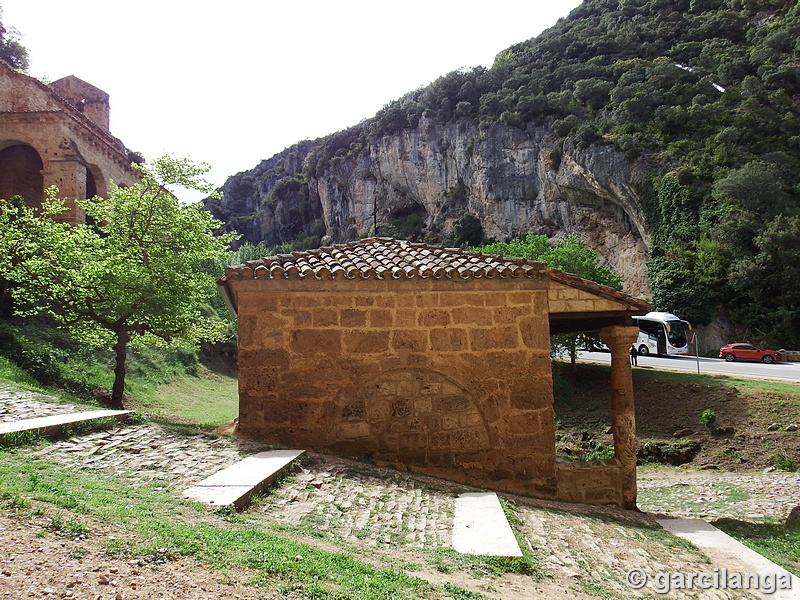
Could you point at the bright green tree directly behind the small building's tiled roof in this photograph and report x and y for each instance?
(569, 254)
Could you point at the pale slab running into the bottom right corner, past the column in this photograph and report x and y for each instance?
(731, 555)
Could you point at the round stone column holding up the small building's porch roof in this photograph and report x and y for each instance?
(623, 423)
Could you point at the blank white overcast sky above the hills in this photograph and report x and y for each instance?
(231, 83)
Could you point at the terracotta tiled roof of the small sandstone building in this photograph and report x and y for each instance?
(386, 258)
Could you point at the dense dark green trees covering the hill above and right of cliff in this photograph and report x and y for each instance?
(707, 92)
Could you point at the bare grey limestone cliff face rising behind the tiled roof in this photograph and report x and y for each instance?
(514, 181)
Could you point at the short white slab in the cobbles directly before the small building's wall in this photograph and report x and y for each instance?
(480, 526)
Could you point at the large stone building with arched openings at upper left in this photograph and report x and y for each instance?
(57, 134)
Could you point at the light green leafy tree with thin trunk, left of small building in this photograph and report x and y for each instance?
(128, 276)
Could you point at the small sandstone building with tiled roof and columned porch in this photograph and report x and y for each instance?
(430, 359)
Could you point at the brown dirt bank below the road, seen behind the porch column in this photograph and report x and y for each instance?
(753, 430)
